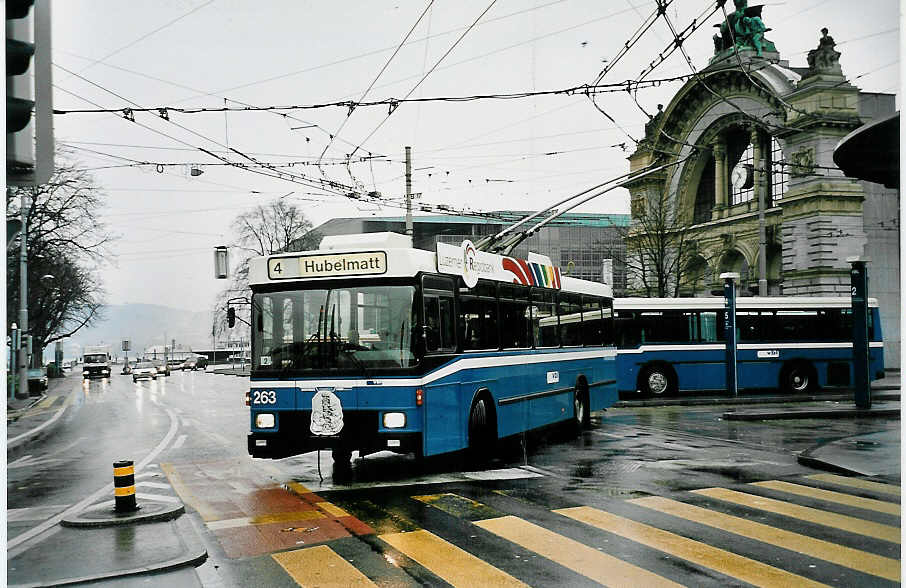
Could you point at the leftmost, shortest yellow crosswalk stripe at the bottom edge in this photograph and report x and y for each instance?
(320, 566)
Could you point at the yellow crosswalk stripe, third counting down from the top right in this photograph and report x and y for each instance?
(805, 513)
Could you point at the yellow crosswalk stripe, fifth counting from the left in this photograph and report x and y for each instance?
(862, 561)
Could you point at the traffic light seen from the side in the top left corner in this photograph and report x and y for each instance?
(29, 139)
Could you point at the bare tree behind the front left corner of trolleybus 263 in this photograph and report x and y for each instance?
(266, 229)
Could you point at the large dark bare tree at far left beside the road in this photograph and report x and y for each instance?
(65, 242)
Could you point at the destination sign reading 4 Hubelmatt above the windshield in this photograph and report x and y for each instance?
(360, 263)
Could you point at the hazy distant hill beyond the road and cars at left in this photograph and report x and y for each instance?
(143, 325)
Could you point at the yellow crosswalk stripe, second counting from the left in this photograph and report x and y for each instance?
(451, 563)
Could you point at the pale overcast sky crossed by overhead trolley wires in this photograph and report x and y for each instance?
(480, 155)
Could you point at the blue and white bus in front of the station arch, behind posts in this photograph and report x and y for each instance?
(796, 344)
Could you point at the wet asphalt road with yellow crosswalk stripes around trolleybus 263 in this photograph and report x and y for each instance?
(549, 509)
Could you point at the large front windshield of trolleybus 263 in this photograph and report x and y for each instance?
(341, 330)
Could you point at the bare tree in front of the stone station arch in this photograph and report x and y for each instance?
(659, 251)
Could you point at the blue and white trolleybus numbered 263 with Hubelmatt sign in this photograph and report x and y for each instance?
(368, 344)
